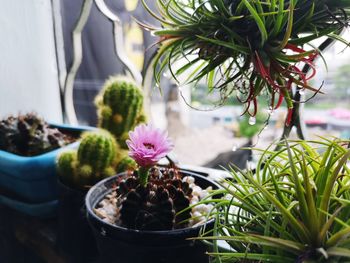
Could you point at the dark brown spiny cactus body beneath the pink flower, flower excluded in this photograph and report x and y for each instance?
(155, 206)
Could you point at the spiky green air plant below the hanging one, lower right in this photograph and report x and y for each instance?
(293, 208)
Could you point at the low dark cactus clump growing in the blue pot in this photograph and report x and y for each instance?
(29, 135)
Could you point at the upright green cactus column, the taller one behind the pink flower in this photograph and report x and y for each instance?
(120, 107)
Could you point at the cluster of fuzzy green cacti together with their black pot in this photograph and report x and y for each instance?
(100, 155)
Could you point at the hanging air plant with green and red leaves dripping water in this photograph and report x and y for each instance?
(245, 47)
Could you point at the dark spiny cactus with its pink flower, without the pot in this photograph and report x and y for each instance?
(151, 198)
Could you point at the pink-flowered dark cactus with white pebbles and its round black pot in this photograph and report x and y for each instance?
(146, 215)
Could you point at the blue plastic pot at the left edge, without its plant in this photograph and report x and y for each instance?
(33, 180)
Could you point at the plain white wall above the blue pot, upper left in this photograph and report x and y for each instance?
(28, 68)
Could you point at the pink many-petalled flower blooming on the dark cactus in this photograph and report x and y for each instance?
(147, 145)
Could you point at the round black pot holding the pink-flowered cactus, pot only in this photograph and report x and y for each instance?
(121, 245)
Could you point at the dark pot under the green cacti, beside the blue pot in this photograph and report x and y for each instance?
(75, 235)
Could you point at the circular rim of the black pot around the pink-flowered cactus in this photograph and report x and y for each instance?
(91, 213)
